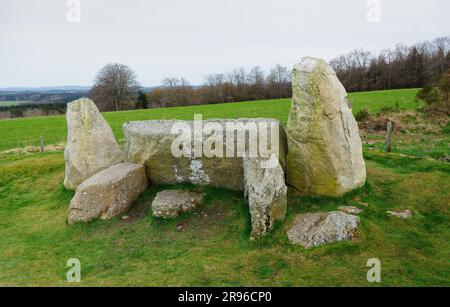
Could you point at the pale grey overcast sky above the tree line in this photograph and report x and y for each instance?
(191, 38)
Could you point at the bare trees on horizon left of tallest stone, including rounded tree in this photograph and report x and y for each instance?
(116, 88)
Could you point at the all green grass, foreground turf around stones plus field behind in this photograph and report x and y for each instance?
(213, 247)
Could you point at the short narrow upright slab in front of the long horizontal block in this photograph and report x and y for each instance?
(266, 192)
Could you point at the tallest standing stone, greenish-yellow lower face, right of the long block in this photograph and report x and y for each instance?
(324, 147)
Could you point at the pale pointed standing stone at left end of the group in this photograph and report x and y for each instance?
(91, 146)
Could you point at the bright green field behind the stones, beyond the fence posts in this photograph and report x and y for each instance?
(22, 132)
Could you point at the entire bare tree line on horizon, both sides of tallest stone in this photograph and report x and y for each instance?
(413, 66)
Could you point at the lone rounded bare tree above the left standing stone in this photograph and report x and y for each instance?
(118, 83)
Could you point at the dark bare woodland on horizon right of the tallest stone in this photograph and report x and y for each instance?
(401, 67)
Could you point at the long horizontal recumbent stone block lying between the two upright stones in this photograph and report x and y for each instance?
(150, 143)
